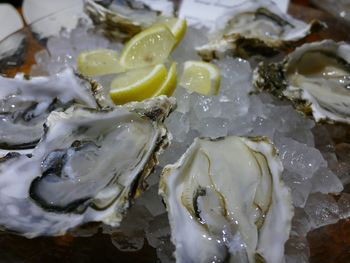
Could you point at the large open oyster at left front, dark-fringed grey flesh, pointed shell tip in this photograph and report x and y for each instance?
(86, 168)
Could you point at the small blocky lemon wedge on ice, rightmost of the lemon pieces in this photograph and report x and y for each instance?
(201, 77)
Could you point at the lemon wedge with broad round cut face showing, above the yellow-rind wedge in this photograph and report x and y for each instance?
(149, 47)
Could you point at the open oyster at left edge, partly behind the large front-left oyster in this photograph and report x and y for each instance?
(25, 105)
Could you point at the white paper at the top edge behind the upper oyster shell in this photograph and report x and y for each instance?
(206, 12)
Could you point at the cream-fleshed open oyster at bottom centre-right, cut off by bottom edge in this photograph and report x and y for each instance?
(226, 202)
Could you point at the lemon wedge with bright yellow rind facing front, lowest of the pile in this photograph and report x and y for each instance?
(137, 84)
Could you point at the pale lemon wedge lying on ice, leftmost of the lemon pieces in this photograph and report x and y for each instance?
(98, 62)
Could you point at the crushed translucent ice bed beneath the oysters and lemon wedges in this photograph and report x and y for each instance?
(232, 112)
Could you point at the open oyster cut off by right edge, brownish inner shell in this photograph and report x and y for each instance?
(315, 77)
